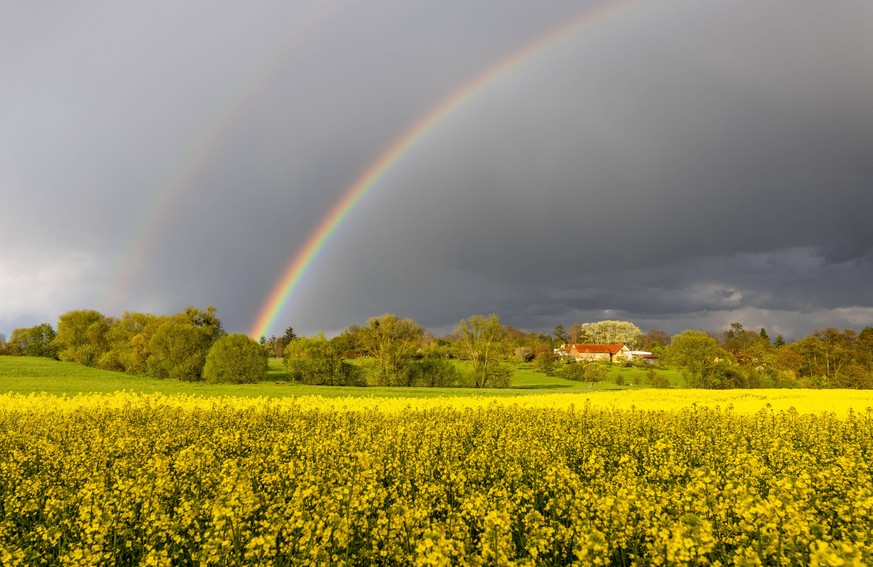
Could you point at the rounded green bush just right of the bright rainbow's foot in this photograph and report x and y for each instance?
(317, 361)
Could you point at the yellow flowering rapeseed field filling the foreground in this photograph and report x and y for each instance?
(624, 478)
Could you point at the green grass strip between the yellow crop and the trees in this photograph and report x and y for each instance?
(26, 375)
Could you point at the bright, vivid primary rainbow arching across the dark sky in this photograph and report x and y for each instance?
(302, 260)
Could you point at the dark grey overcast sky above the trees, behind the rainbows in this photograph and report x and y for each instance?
(679, 164)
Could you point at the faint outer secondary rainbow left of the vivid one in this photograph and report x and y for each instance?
(203, 144)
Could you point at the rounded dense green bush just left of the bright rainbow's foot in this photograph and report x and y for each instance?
(235, 359)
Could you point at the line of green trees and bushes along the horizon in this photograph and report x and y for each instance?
(393, 351)
